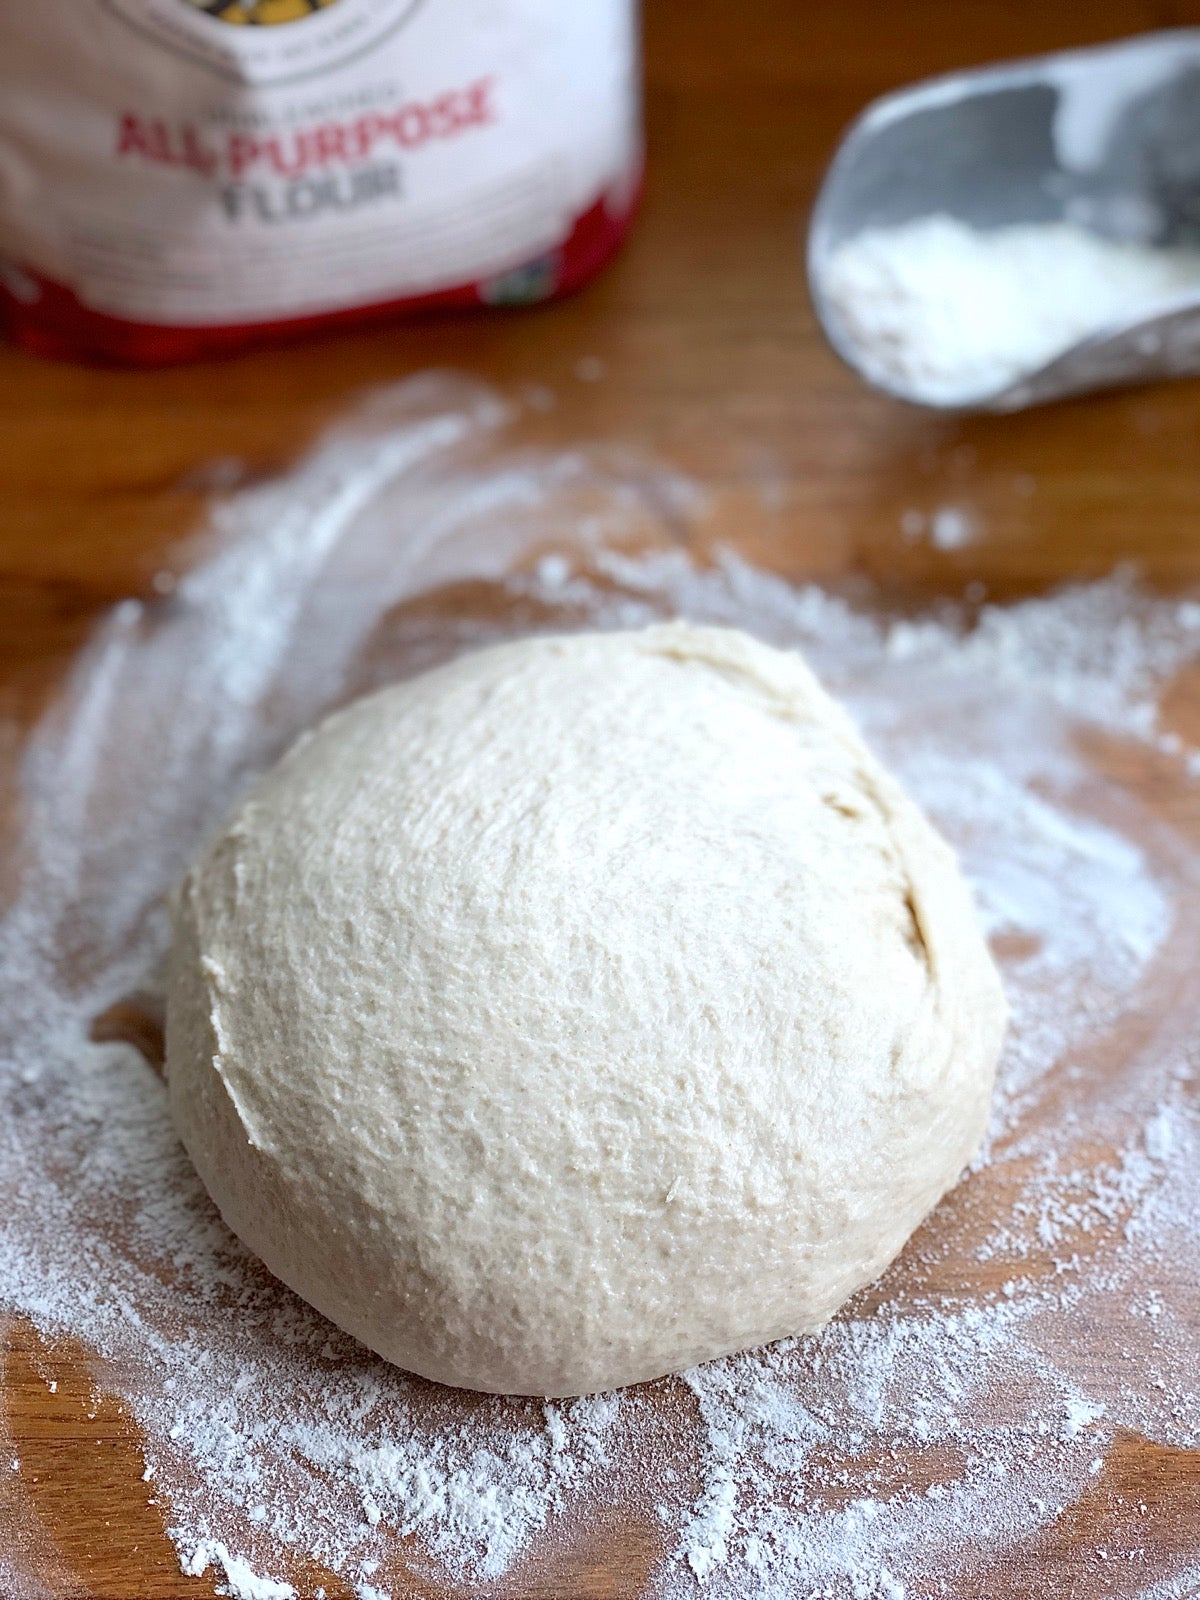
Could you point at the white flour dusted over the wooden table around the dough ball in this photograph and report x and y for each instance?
(954, 1412)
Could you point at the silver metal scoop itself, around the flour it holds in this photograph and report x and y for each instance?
(1108, 138)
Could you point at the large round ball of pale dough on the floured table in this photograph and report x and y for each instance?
(580, 1010)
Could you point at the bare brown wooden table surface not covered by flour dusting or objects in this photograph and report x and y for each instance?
(713, 361)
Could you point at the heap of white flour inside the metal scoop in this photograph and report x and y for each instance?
(950, 314)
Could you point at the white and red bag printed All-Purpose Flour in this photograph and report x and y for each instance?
(180, 178)
